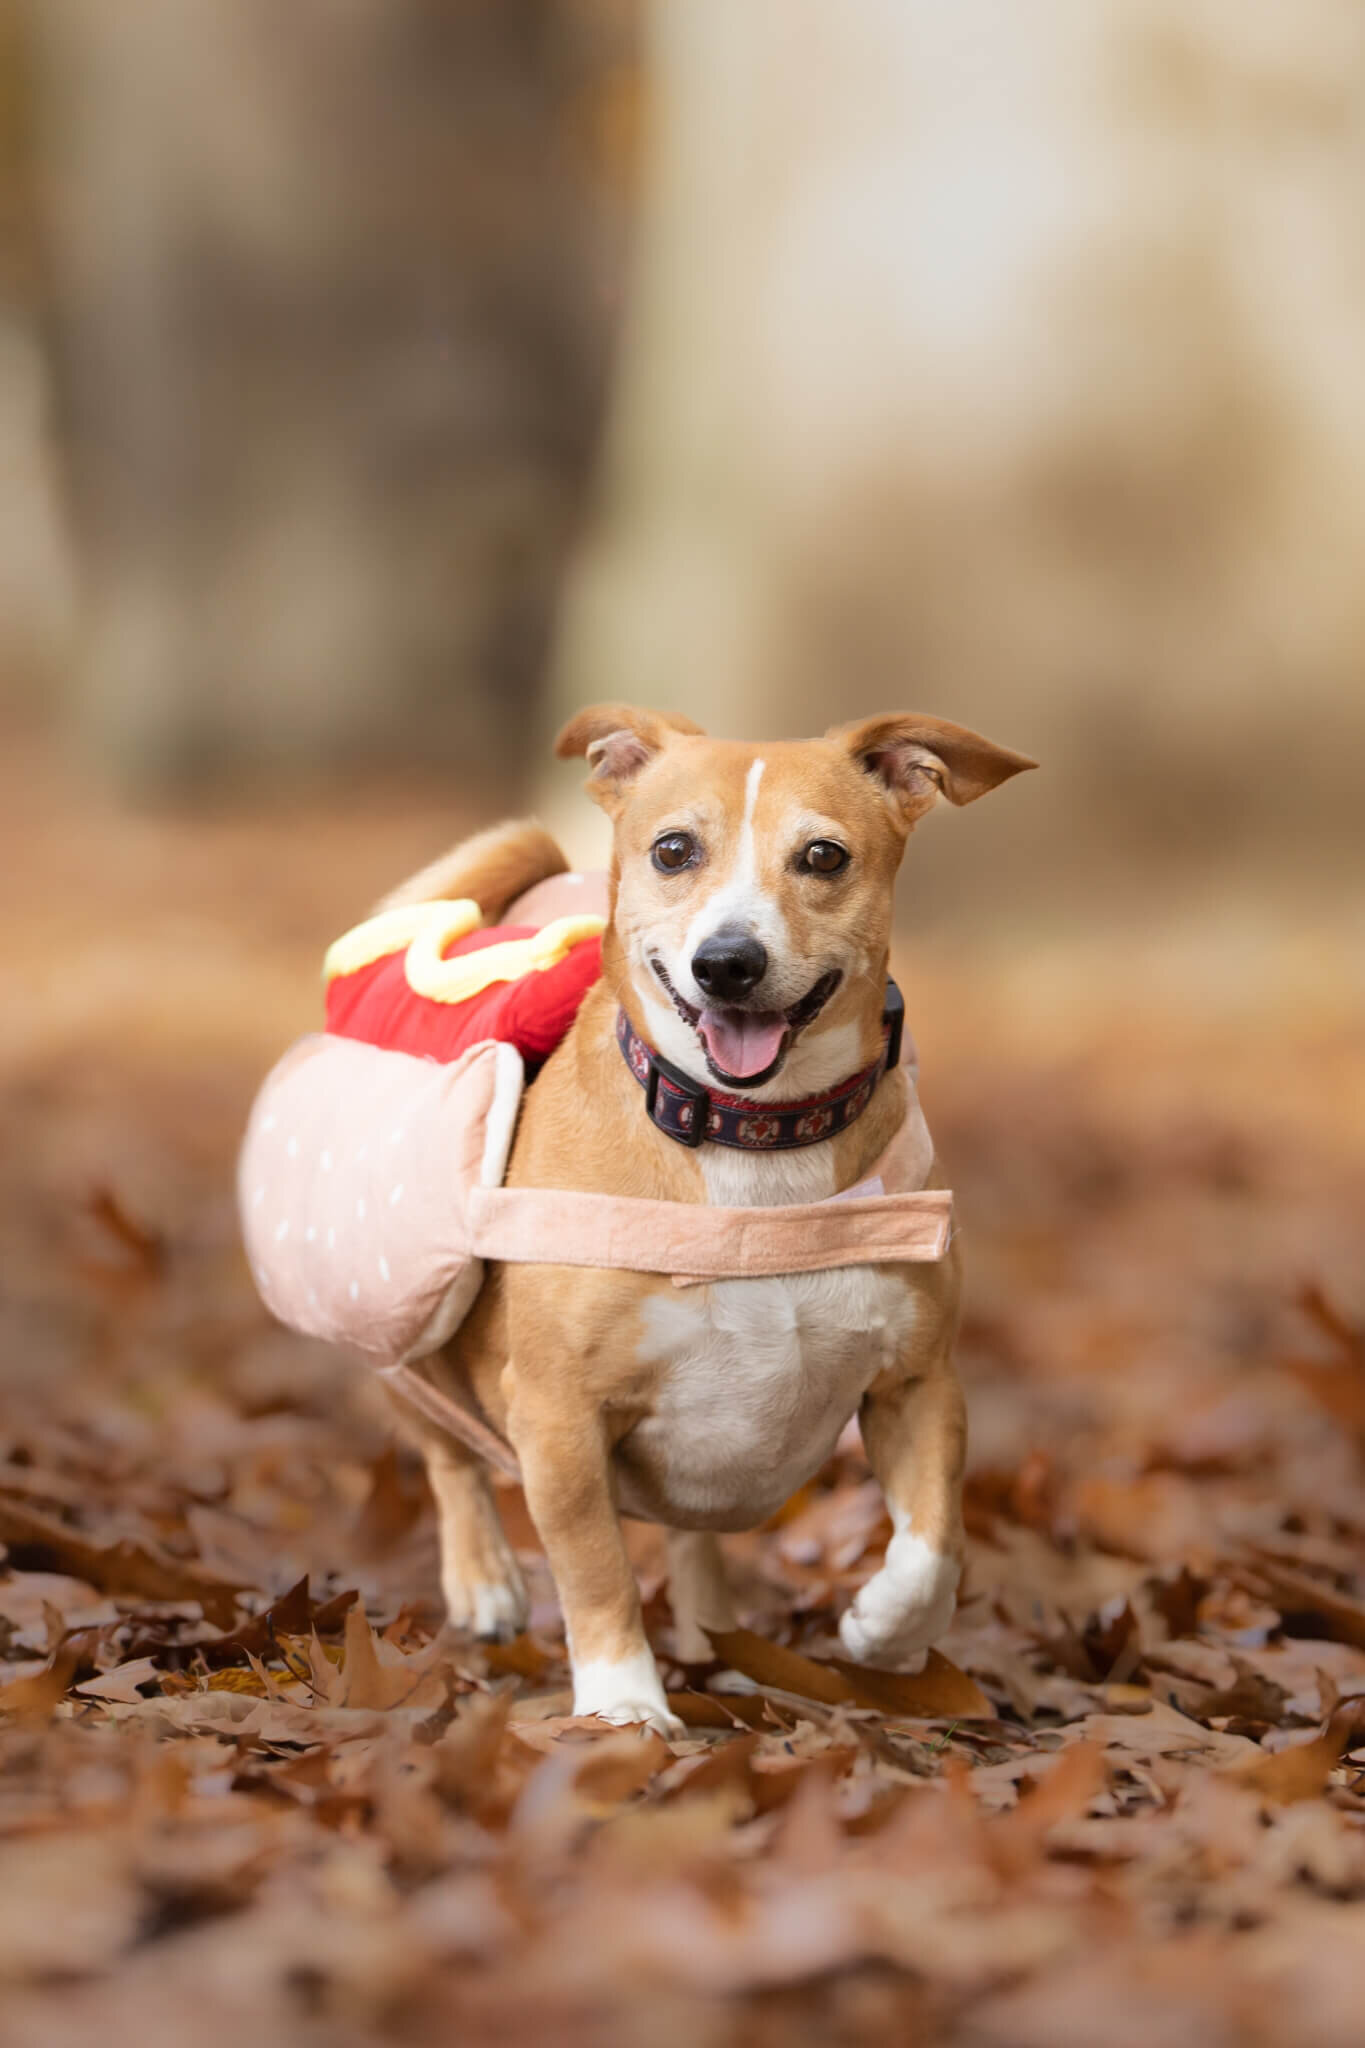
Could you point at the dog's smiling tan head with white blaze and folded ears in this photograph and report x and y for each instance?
(752, 888)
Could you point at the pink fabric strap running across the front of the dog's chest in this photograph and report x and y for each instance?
(693, 1242)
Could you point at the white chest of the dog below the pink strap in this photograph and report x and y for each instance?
(756, 1379)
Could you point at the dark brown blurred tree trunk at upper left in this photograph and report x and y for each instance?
(333, 300)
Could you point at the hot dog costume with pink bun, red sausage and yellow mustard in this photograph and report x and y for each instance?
(371, 1172)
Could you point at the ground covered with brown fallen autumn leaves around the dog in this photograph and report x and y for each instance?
(251, 1791)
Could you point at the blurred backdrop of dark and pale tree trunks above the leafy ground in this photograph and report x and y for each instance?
(380, 382)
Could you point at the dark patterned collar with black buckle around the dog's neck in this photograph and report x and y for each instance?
(689, 1113)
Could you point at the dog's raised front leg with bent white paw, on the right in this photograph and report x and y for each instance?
(916, 1439)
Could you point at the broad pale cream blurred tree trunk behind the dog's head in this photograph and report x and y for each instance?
(1006, 364)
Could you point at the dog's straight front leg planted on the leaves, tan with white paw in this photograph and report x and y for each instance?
(566, 1474)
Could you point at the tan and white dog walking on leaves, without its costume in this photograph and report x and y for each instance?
(748, 943)
